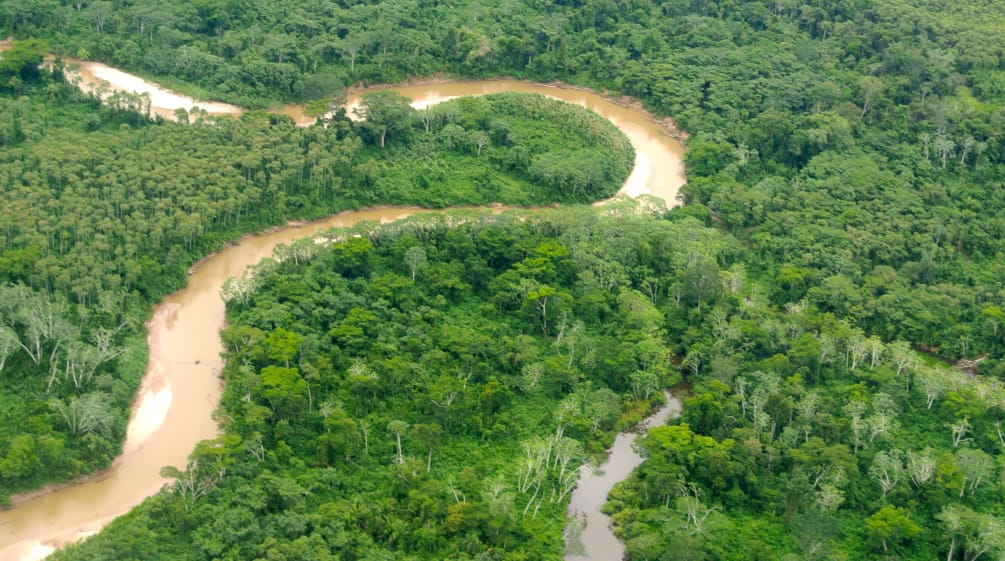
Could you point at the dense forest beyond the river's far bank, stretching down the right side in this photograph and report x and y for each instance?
(839, 140)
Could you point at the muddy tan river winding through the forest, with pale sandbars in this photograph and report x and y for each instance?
(181, 389)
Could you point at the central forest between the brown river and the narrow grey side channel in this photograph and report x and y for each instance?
(427, 390)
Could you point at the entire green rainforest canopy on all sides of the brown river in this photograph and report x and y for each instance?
(832, 292)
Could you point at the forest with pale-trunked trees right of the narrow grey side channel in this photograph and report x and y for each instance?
(803, 438)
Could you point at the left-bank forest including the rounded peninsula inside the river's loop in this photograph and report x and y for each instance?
(99, 224)
